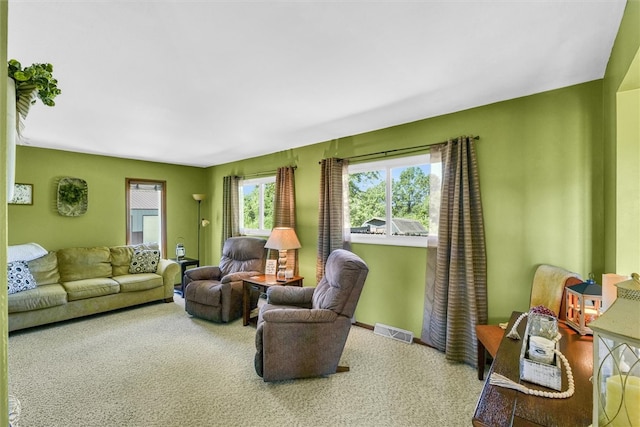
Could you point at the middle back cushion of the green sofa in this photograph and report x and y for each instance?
(84, 263)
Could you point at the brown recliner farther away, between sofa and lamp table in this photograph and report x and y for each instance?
(215, 293)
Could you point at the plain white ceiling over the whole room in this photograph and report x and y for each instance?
(208, 82)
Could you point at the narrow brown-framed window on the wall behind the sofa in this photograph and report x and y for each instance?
(146, 207)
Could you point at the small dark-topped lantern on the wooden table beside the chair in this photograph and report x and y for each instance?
(583, 305)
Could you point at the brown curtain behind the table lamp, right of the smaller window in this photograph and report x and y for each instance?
(285, 208)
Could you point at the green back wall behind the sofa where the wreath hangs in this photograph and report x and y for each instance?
(104, 224)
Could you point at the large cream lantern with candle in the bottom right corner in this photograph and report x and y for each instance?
(616, 359)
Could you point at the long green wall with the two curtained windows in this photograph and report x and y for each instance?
(539, 171)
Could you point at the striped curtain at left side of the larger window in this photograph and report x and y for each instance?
(332, 220)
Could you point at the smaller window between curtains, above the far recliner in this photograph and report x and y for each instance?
(256, 205)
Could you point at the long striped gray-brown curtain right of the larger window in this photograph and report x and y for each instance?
(460, 282)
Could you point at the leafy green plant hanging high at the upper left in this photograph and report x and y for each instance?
(32, 82)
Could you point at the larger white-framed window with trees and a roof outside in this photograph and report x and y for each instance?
(390, 201)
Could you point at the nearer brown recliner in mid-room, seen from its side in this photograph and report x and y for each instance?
(301, 332)
